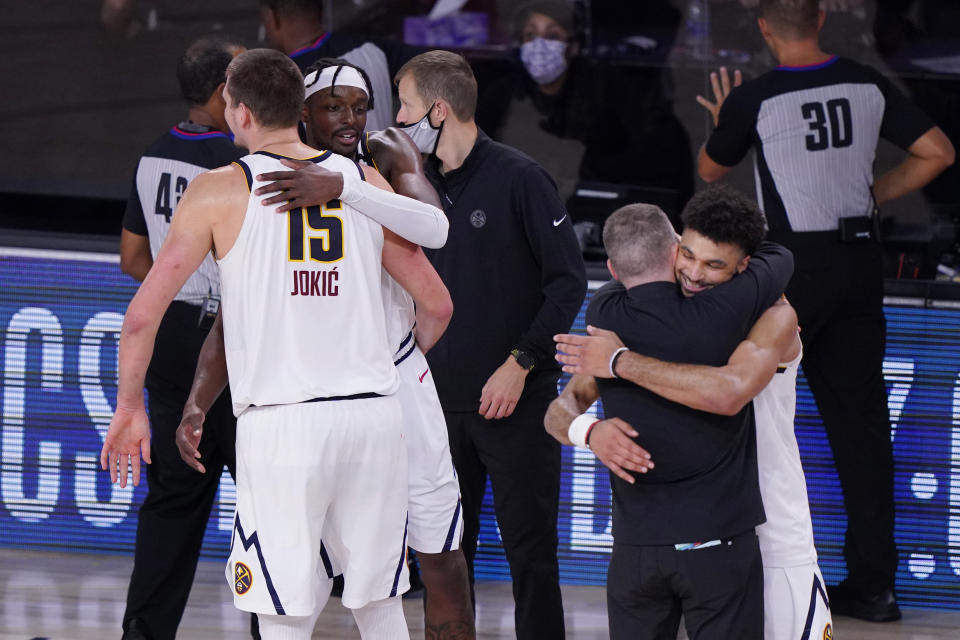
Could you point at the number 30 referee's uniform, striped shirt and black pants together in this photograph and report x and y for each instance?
(815, 131)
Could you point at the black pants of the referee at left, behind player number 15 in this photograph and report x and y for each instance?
(174, 515)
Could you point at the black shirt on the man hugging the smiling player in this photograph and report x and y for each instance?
(704, 485)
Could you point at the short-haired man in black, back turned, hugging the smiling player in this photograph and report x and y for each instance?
(683, 533)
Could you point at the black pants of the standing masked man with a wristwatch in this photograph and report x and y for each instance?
(523, 463)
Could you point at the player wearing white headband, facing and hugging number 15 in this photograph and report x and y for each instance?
(337, 100)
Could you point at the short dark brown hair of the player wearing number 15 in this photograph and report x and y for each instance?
(271, 86)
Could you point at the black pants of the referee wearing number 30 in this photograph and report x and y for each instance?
(837, 290)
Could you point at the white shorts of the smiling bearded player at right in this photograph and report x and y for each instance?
(795, 604)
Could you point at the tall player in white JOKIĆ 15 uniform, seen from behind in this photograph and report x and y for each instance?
(320, 453)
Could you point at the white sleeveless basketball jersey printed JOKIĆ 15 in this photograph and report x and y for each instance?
(302, 310)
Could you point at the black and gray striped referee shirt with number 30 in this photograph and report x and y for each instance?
(815, 129)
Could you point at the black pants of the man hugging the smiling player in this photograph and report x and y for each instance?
(718, 590)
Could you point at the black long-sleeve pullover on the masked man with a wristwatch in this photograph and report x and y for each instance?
(512, 264)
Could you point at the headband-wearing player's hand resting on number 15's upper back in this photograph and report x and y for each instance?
(307, 185)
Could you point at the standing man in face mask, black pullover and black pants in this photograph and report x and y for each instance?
(511, 248)
